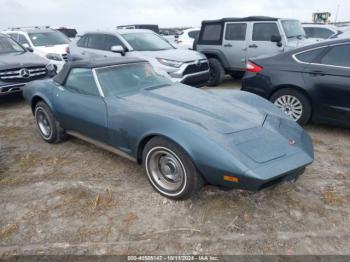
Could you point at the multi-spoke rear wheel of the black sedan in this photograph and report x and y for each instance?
(294, 104)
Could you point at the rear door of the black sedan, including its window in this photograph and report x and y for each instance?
(330, 79)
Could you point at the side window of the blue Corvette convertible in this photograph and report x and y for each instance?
(81, 81)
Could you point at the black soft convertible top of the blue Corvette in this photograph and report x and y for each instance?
(93, 63)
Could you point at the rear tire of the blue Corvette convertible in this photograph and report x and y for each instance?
(55, 134)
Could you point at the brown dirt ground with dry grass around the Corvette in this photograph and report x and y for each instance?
(73, 198)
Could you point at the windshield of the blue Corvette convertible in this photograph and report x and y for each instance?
(128, 79)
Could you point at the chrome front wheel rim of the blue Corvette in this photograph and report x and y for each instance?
(165, 170)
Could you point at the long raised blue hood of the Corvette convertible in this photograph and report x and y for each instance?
(201, 108)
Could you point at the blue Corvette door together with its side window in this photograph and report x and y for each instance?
(80, 107)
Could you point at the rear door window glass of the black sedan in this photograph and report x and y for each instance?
(337, 56)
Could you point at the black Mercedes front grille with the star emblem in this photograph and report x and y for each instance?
(23, 74)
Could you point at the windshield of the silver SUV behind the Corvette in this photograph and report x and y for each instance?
(147, 42)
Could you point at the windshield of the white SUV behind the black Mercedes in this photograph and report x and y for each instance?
(48, 38)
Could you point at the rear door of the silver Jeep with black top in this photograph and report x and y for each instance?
(234, 44)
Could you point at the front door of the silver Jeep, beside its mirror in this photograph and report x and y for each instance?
(260, 39)
